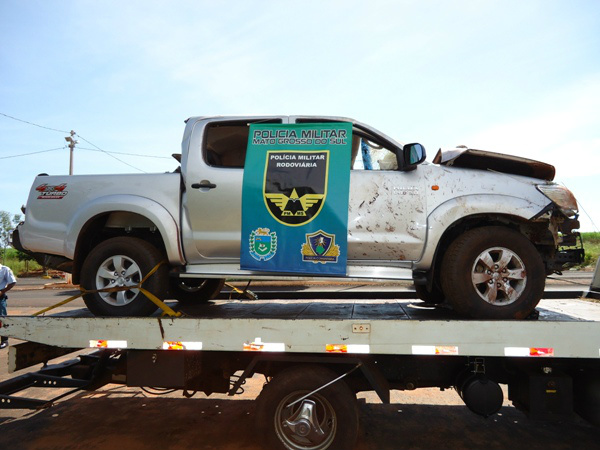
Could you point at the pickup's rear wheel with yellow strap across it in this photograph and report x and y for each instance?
(135, 258)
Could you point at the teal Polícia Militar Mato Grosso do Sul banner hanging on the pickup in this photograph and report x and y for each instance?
(295, 198)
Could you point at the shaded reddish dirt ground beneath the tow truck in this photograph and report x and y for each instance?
(118, 417)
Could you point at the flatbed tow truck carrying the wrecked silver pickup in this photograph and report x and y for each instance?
(316, 355)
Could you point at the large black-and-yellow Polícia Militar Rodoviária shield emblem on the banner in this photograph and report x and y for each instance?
(295, 185)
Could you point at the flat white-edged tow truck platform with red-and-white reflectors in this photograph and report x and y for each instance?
(564, 329)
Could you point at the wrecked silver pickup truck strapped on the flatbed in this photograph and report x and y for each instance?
(478, 230)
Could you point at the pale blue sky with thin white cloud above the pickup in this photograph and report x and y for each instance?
(510, 76)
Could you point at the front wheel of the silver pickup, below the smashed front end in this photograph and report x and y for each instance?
(493, 273)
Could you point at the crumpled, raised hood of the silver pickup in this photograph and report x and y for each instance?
(497, 162)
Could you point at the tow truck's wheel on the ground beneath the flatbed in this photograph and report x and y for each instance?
(334, 408)
